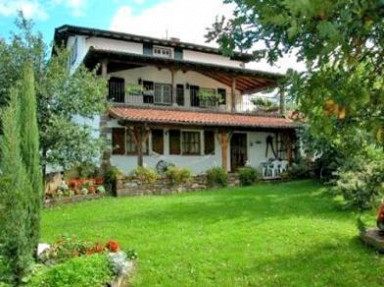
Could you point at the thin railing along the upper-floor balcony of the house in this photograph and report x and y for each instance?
(242, 104)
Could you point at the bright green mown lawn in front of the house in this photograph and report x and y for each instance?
(289, 234)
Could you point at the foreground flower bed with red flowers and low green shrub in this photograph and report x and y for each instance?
(79, 263)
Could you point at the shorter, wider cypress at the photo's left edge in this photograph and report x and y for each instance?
(15, 251)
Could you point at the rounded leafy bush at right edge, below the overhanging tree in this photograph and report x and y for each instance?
(361, 180)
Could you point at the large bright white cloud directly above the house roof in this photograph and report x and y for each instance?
(188, 21)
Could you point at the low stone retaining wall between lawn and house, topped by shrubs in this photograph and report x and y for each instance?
(134, 187)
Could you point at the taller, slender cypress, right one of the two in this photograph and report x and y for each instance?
(30, 150)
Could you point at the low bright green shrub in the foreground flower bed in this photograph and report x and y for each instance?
(92, 270)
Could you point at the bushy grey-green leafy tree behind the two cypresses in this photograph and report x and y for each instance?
(60, 96)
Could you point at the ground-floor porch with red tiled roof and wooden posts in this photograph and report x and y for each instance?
(197, 140)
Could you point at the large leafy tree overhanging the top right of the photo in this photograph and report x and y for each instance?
(341, 41)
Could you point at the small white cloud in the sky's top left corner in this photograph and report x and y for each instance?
(30, 8)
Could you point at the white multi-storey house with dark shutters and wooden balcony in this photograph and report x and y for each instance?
(180, 103)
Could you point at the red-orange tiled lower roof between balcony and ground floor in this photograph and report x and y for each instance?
(218, 119)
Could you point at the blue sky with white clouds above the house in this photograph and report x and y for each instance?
(184, 19)
